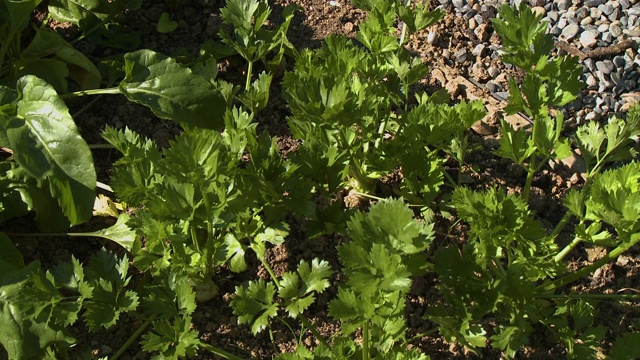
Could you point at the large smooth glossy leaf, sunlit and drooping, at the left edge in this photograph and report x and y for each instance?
(47, 144)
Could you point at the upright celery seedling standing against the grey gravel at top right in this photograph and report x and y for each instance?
(547, 83)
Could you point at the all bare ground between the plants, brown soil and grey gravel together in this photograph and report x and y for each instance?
(464, 54)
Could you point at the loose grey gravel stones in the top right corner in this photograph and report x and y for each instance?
(586, 25)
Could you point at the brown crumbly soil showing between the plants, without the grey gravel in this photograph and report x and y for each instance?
(199, 21)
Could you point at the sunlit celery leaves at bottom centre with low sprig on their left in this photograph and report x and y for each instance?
(386, 248)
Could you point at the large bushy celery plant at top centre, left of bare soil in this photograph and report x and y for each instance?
(352, 102)
